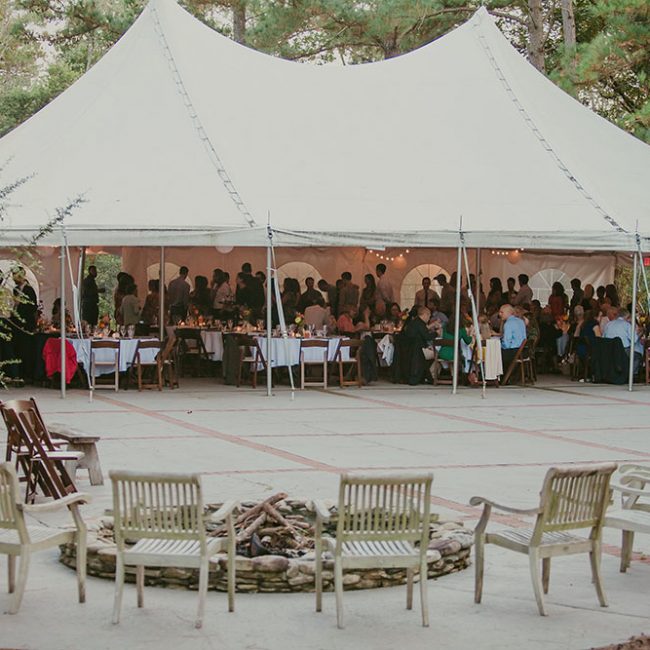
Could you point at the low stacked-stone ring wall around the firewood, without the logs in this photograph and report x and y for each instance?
(448, 552)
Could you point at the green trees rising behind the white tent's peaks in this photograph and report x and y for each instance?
(598, 50)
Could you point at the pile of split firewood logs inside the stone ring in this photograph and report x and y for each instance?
(262, 529)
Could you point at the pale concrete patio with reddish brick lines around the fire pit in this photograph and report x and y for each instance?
(249, 446)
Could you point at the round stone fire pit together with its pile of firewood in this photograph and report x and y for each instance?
(275, 542)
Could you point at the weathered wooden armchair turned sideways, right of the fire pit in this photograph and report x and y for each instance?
(572, 498)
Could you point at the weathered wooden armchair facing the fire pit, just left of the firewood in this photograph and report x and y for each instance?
(163, 514)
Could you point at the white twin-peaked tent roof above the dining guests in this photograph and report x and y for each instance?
(160, 132)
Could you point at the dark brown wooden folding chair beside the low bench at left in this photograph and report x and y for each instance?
(32, 450)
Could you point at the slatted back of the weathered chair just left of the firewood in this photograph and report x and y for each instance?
(157, 506)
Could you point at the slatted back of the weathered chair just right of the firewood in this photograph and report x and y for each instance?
(384, 508)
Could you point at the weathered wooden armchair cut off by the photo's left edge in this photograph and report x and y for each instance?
(18, 539)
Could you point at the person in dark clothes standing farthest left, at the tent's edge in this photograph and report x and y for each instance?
(24, 317)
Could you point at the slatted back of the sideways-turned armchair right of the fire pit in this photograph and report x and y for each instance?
(573, 497)
